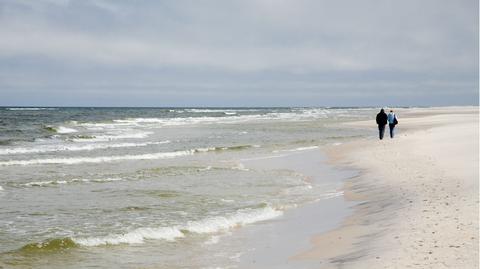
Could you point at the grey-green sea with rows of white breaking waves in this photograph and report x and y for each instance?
(153, 187)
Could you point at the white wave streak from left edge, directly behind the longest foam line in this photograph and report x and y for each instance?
(89, 147)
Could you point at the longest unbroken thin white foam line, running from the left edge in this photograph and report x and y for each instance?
(150, 156)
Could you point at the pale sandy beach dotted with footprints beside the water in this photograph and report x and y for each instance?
(417, 195)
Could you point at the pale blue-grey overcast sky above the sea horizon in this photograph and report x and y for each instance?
(238, 53)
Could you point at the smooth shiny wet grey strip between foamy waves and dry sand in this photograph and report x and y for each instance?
(271, 243)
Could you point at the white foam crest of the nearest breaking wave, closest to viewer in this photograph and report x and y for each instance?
(208, 225)
